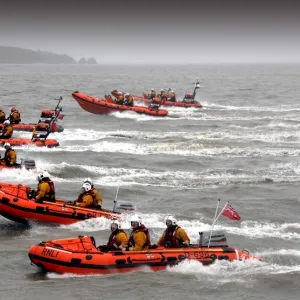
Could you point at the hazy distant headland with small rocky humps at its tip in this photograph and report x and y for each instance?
(15, 55)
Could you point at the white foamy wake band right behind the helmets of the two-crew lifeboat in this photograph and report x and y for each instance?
(105, 176)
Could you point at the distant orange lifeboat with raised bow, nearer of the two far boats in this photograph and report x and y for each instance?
(107, 105)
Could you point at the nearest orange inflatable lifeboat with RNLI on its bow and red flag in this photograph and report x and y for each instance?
(82, 256)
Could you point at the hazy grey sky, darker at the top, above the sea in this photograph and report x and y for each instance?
(156, 31)
